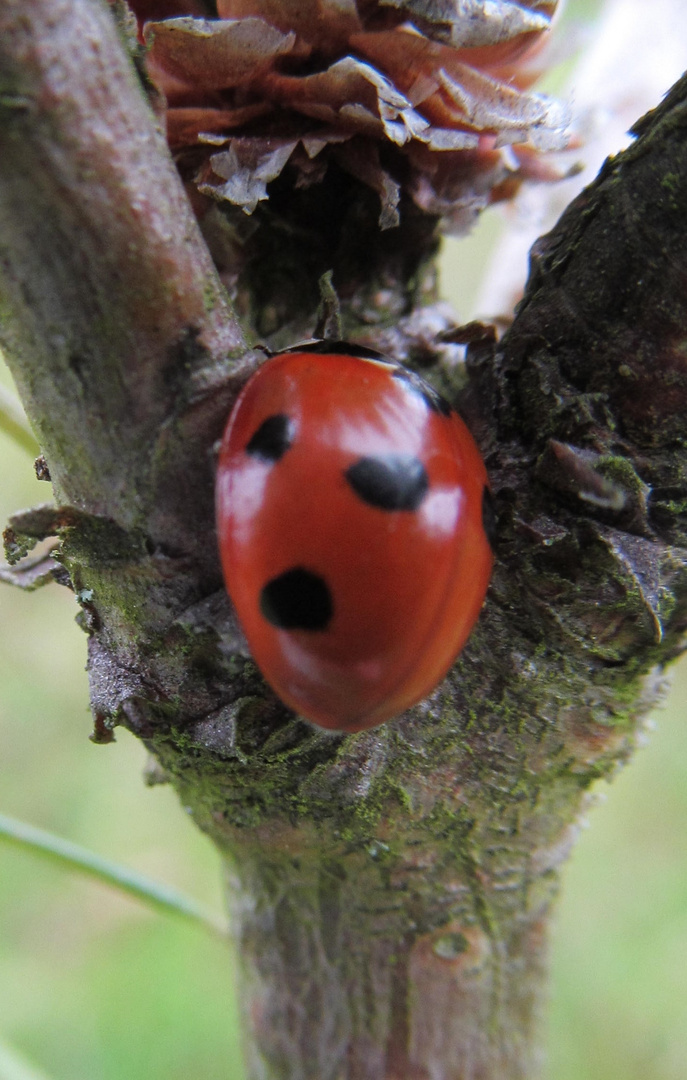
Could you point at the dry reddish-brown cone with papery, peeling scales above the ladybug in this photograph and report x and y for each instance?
(429, 98)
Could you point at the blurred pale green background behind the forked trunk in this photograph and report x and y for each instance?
(96, 988)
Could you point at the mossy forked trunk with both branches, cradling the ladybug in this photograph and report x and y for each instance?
(392, 890)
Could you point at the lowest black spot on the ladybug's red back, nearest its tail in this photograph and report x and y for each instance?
(298, 600)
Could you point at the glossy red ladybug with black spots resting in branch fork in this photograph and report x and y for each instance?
(352, 532)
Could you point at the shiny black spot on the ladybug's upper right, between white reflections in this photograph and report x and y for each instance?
(390, 481)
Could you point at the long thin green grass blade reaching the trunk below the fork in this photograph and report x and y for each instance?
(73, 857)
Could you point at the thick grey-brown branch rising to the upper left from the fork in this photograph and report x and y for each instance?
(114, 318)
